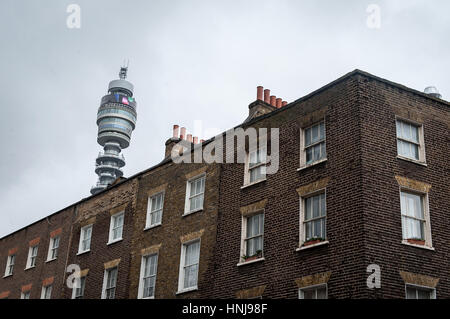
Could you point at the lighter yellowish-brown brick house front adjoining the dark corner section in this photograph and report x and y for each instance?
(172, 178)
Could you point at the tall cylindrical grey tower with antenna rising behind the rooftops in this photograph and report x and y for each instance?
(116, 120)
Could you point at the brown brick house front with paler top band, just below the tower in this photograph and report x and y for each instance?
(98, 210)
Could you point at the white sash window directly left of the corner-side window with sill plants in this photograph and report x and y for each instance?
(252, 245)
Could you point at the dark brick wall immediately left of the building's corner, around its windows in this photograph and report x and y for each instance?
(283, 265)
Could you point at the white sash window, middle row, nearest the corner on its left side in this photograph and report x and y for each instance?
(313, 219)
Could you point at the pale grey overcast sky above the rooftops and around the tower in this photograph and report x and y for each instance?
(189, 60)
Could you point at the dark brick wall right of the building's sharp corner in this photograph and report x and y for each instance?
(380, 104)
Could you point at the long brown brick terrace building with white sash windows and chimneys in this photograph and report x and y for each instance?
(362, 184)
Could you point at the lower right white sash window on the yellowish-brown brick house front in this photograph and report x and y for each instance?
(190, 254)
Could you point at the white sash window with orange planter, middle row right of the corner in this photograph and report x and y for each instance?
(415, 218)
